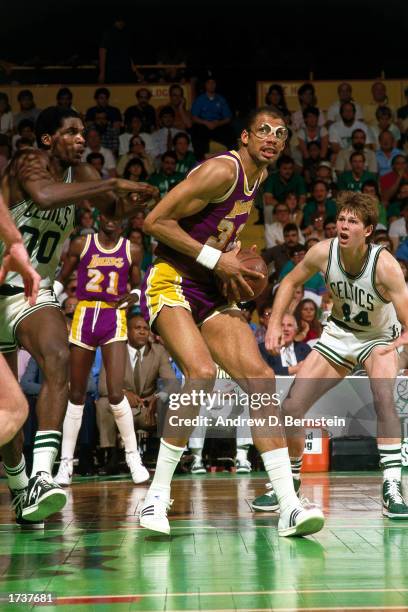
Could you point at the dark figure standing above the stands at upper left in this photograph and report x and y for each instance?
(116, 63)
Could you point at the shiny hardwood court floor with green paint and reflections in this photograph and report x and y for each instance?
(220, 555)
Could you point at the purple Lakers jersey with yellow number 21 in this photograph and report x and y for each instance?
(103, 273)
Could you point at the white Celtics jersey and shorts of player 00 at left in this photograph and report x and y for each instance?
(44, 233)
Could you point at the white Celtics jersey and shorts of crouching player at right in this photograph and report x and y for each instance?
(361, 318)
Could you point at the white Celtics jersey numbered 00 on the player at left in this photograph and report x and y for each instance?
(44, 233)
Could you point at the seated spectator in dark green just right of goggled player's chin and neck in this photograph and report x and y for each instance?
(279, 183)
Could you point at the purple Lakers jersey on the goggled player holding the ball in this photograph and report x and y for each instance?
(218, 225)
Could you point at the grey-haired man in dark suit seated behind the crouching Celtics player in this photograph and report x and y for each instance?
(292, 352)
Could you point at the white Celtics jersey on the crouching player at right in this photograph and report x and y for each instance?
(357, 303)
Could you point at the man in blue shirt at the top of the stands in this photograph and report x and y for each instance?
(211, 120)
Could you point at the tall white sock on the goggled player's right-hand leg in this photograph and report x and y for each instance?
(277, 465)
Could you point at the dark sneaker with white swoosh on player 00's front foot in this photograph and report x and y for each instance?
(44, 497)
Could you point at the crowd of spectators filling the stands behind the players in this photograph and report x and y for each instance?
(348, 147)
